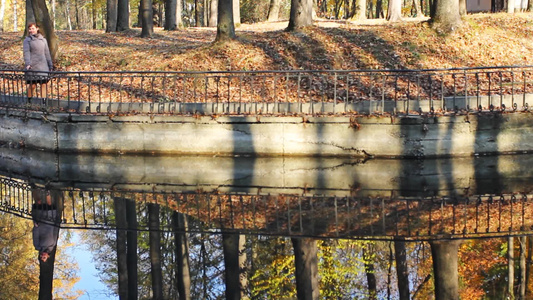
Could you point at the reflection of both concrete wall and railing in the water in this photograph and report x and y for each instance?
(376, 199)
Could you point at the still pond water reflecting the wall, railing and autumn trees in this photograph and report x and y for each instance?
(233, 224)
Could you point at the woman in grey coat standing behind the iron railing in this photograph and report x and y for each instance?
(36, 58)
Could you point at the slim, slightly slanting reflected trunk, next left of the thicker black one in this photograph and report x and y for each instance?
(182, 256)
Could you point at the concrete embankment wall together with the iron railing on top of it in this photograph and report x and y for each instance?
(372, 113)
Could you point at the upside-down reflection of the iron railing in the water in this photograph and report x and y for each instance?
(412, 218)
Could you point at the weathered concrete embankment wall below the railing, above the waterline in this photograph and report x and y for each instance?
(355, 136)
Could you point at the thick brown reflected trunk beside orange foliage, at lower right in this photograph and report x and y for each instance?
(445, 262)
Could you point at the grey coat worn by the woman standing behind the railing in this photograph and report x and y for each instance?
(36, 55)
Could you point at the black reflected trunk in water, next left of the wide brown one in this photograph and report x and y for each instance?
(231, 261)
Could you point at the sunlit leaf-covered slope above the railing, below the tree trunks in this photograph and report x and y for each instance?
(483, 40)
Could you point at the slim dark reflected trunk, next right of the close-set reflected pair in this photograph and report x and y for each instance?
(155, 251)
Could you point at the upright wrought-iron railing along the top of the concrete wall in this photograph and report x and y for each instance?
(275, 92)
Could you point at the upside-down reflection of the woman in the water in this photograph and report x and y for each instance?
(45, 224)
